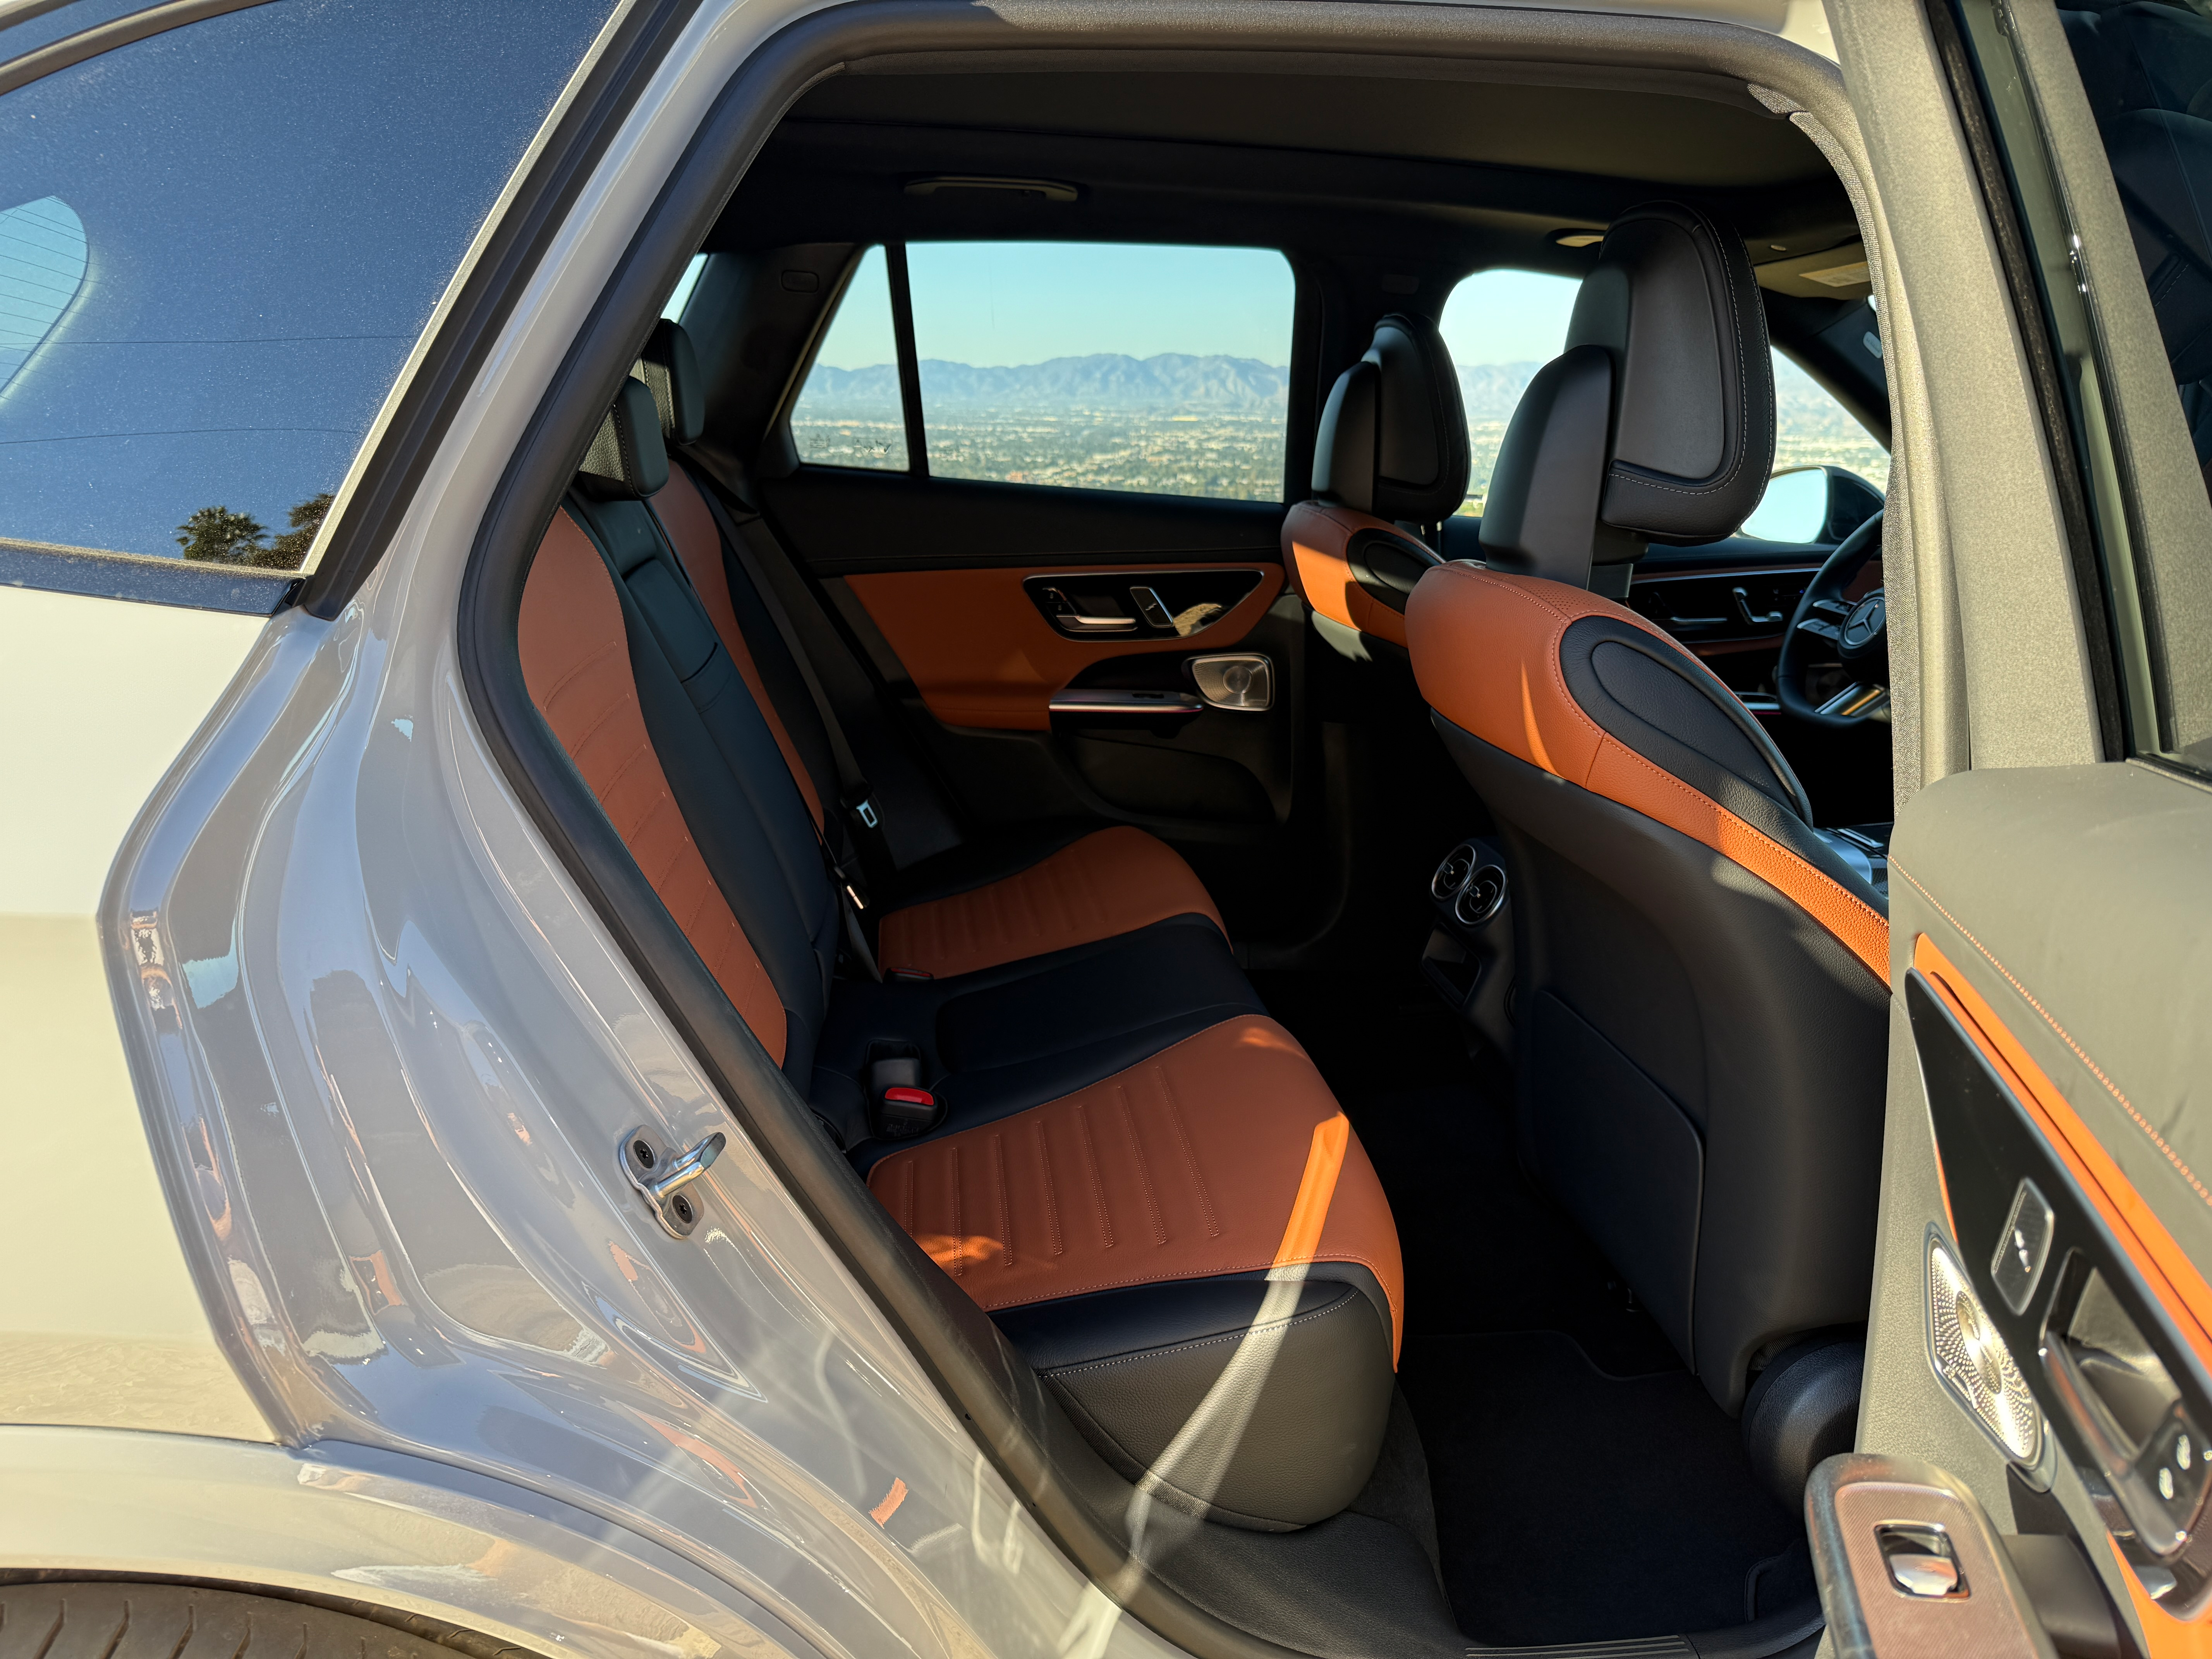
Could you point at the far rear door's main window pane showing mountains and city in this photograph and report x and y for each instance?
(1105, 366)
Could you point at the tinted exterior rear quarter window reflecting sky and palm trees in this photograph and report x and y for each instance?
(220, 244)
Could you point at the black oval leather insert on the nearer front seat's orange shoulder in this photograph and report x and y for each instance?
(1673, 713)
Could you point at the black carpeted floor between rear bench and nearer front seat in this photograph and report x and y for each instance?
(1587, 1488)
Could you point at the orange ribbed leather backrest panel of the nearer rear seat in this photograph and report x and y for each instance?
(576, 662)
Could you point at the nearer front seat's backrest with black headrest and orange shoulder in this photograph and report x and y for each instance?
(1700, 979)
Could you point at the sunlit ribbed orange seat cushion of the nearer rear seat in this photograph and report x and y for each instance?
(1220, 1156)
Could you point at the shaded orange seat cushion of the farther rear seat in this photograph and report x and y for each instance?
(1107, 884)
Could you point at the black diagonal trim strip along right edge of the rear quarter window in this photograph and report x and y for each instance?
(457, 353)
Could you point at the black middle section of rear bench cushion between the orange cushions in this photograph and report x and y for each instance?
(1010, 1039)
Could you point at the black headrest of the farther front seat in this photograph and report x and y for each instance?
(1395, 435)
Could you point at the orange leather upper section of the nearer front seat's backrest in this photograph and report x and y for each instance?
(1488, 658)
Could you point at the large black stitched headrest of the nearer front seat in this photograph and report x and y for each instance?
(1656, 424)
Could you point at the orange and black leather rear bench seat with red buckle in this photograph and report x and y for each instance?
(1138, 1173)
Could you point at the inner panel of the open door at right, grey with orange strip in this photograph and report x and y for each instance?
(2056, 972)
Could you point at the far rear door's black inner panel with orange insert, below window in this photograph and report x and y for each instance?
(932, 581)
